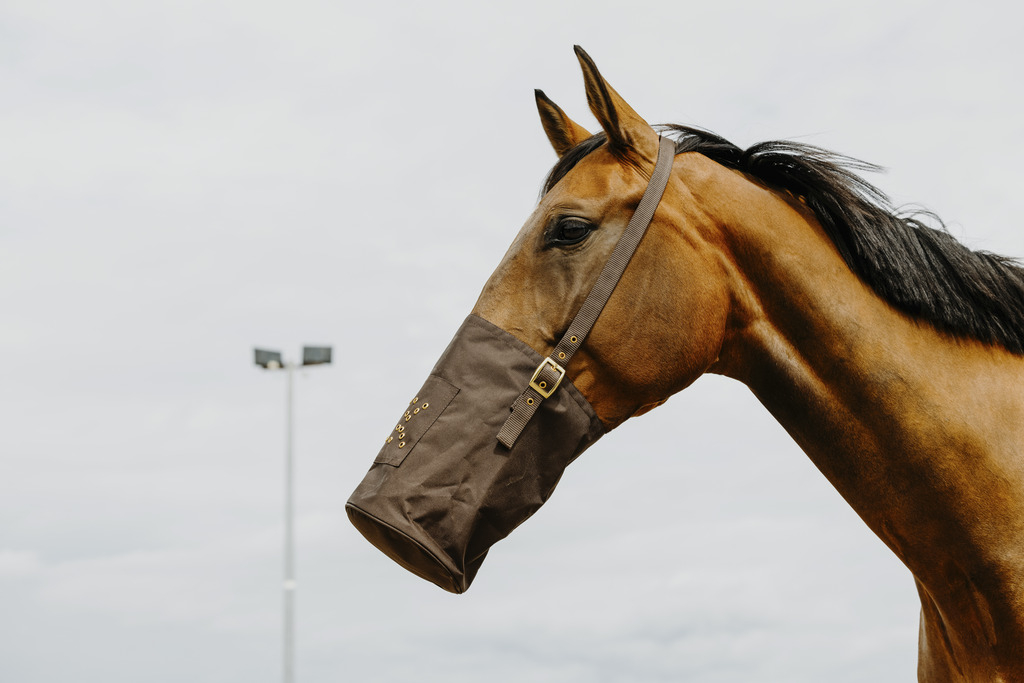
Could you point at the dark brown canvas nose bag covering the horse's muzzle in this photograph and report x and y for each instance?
(444, 490)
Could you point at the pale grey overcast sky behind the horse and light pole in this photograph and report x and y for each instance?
(181, 182)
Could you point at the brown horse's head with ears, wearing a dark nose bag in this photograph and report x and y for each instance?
(525, 388)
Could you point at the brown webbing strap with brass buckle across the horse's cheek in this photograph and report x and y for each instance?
(550, 373)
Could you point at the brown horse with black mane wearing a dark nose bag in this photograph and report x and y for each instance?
(891, 354)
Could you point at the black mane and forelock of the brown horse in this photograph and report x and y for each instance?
(920, 270)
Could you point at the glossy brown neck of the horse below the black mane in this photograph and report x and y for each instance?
(922, 435)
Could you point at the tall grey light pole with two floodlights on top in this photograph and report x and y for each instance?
(312, 356)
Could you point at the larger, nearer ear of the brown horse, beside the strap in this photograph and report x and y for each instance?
(628, 133)
